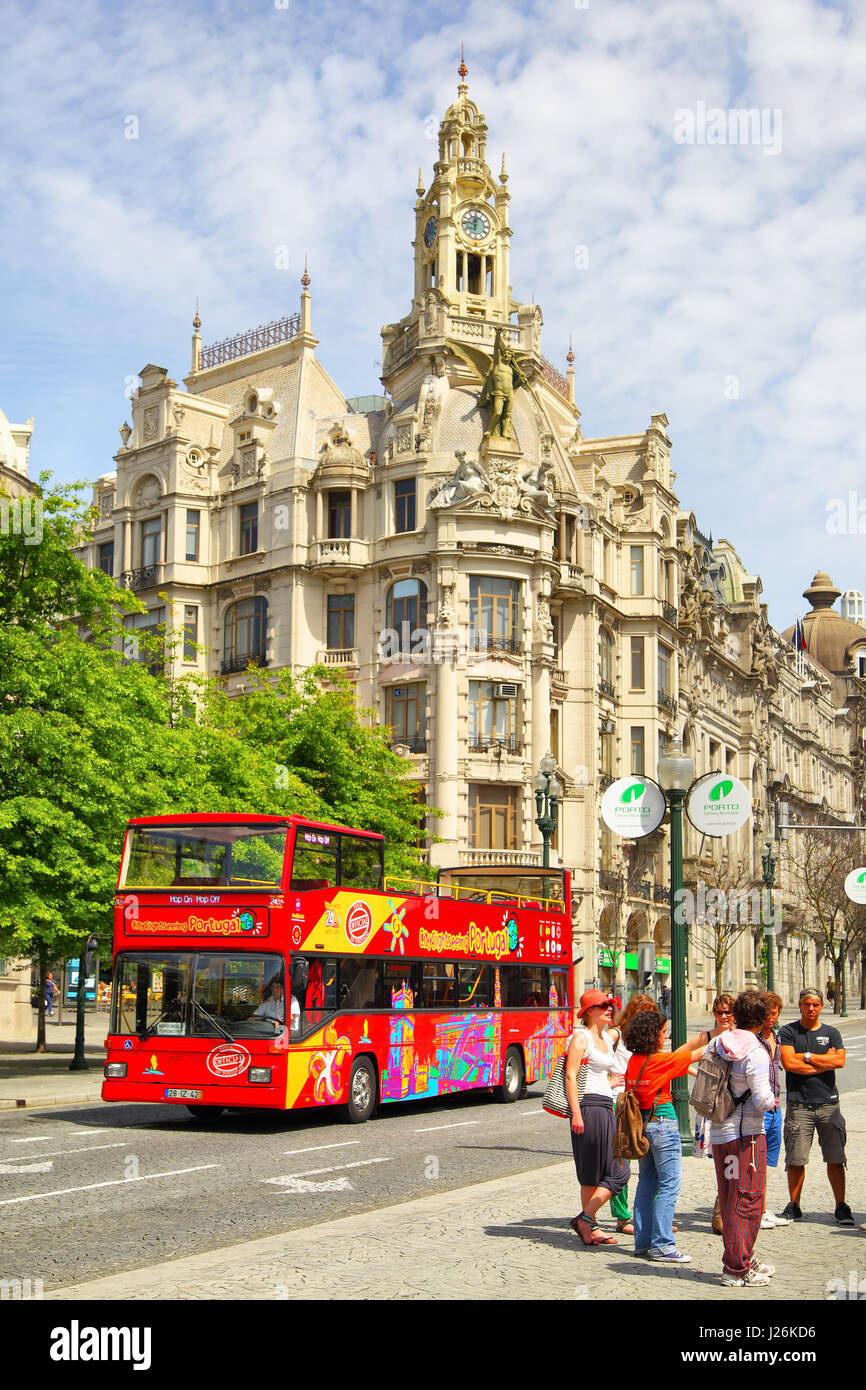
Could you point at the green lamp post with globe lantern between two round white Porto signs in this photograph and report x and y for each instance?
(676, 774)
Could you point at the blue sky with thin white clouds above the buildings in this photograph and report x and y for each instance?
(721, 283)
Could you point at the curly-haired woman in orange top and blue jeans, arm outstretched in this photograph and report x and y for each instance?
(661, 1170)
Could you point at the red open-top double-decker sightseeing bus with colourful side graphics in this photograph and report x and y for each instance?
(268, 961)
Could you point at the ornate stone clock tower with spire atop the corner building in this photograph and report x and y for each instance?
(462, 224)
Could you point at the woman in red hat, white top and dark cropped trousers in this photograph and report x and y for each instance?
(600, 1175)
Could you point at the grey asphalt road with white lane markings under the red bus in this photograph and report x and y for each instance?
(97, 1189)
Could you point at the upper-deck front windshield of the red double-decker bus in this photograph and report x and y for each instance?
(205, 857)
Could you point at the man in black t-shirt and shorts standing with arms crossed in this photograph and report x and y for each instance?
(812, 1054)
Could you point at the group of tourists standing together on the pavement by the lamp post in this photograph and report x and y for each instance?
(608, 1060)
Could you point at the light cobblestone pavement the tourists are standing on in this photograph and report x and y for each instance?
(511, 1239)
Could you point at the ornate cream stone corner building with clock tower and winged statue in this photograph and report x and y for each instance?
(494, 583)
